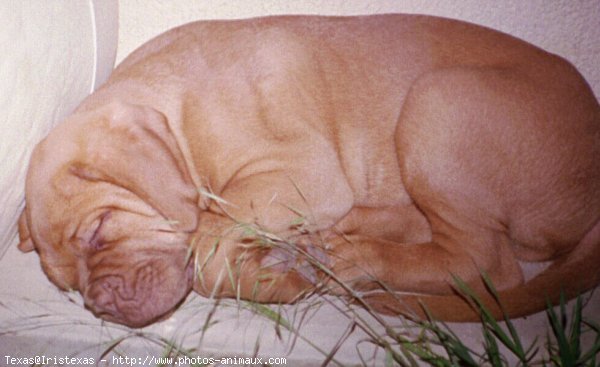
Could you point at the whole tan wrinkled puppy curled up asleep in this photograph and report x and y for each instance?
(411, 148)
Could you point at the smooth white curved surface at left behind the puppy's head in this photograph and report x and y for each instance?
(53, 55)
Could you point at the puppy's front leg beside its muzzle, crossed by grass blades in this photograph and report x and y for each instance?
(241, 260)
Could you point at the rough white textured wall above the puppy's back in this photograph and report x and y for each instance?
(570, 28)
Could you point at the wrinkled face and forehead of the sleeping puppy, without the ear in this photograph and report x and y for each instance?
(101, 236)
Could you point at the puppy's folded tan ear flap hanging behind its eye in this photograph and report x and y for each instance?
(132, 146)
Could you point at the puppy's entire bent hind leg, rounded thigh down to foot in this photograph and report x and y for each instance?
(482, 154)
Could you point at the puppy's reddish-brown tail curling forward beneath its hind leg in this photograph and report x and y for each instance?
(576, 273)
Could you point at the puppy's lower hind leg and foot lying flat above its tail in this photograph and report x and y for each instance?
(368, 263)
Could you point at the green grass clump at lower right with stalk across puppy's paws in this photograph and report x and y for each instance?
(435, 344)
